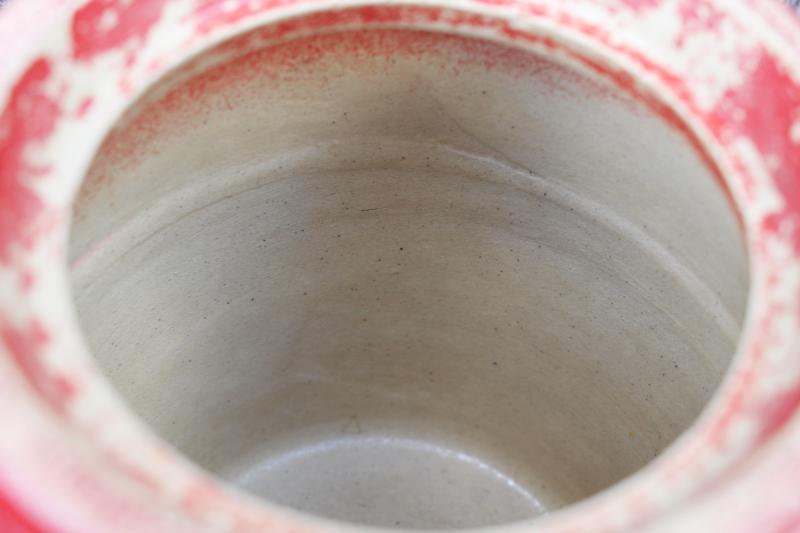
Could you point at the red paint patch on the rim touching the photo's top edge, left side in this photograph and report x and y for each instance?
(102, 25)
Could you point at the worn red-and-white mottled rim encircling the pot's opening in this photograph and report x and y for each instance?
(725, 74)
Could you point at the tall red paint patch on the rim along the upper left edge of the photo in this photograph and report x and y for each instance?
(29, 117)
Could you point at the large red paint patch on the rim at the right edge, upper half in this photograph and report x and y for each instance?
(765, 109)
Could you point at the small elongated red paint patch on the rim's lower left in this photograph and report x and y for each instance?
(26, 346)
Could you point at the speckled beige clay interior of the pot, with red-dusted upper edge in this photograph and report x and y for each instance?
(405, 279)
